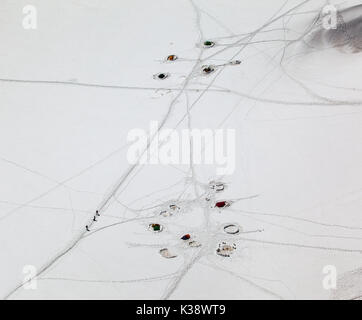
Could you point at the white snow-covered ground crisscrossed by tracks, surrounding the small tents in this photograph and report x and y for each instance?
(72, 89)
